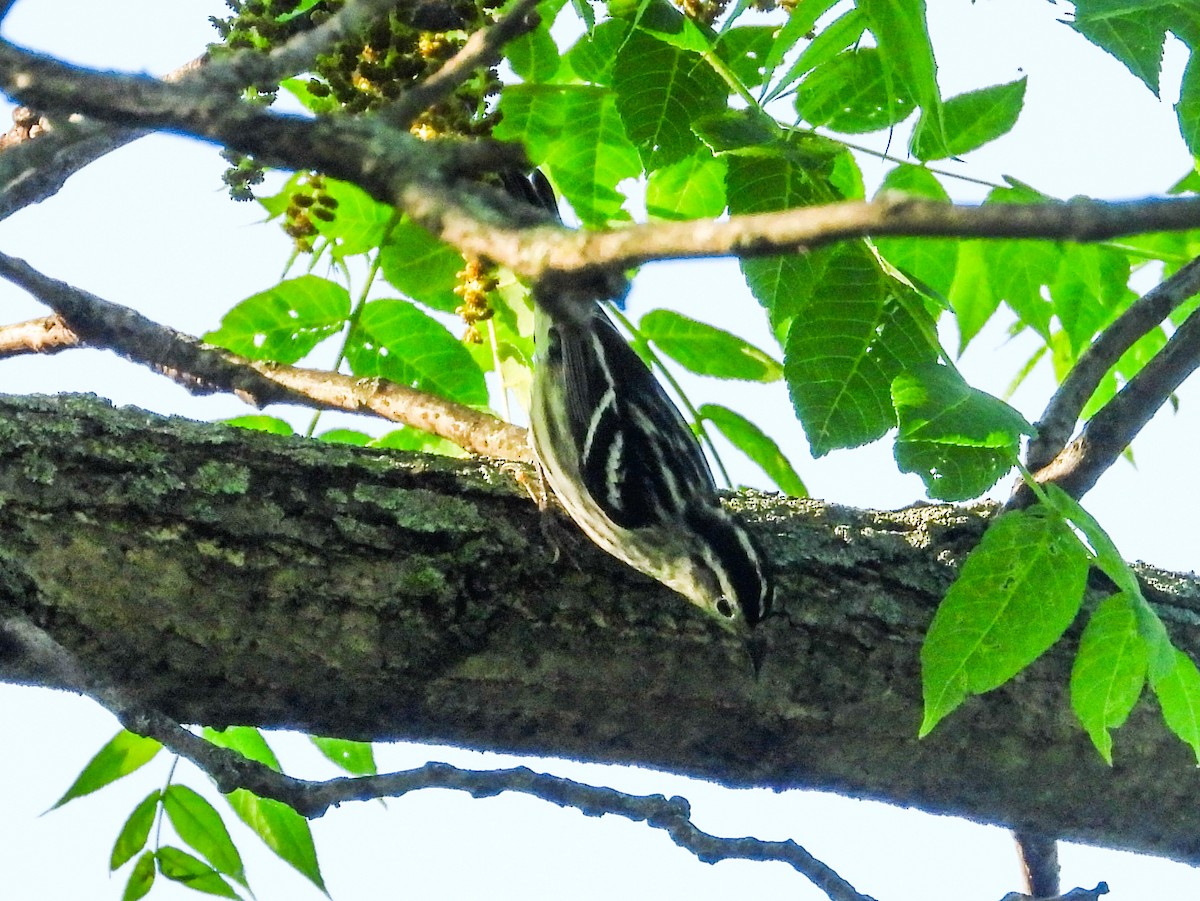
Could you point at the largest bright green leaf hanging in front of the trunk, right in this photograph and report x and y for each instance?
(1015, 597)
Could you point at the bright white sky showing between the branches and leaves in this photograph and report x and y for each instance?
(151, 227)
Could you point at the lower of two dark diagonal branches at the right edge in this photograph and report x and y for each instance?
(1114, 427)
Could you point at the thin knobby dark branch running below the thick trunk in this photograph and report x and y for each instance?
(37, 652)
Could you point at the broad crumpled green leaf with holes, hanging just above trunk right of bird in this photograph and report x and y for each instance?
(958, 440)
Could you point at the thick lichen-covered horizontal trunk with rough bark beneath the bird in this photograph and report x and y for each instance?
(233, 578)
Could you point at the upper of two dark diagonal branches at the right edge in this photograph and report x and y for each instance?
(1065, 409)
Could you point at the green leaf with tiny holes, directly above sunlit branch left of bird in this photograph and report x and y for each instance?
(395, 340)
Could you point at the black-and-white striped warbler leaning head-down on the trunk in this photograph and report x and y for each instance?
(623, 462)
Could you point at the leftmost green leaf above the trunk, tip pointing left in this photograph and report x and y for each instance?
(286, 322)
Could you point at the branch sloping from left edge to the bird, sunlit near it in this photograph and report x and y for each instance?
(205, 369)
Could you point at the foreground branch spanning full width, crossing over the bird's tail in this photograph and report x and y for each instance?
(423, 178)
